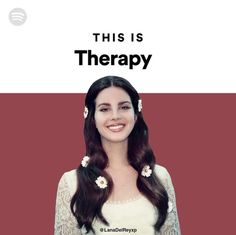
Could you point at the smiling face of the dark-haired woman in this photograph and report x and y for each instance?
(114, 115)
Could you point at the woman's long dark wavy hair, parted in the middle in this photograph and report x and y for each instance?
(86, 204)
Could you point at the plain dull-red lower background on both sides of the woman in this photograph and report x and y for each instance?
(193, 136)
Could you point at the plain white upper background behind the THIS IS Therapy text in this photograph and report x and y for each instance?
(160, 46)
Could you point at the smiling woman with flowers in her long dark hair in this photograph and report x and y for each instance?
(118, 188)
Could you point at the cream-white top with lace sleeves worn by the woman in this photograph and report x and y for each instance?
(135, 216)
